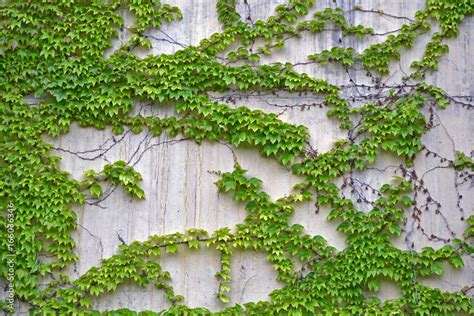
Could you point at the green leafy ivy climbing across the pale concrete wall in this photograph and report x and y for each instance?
(54, 51)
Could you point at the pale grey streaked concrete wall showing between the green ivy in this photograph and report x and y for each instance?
(179, 188)
